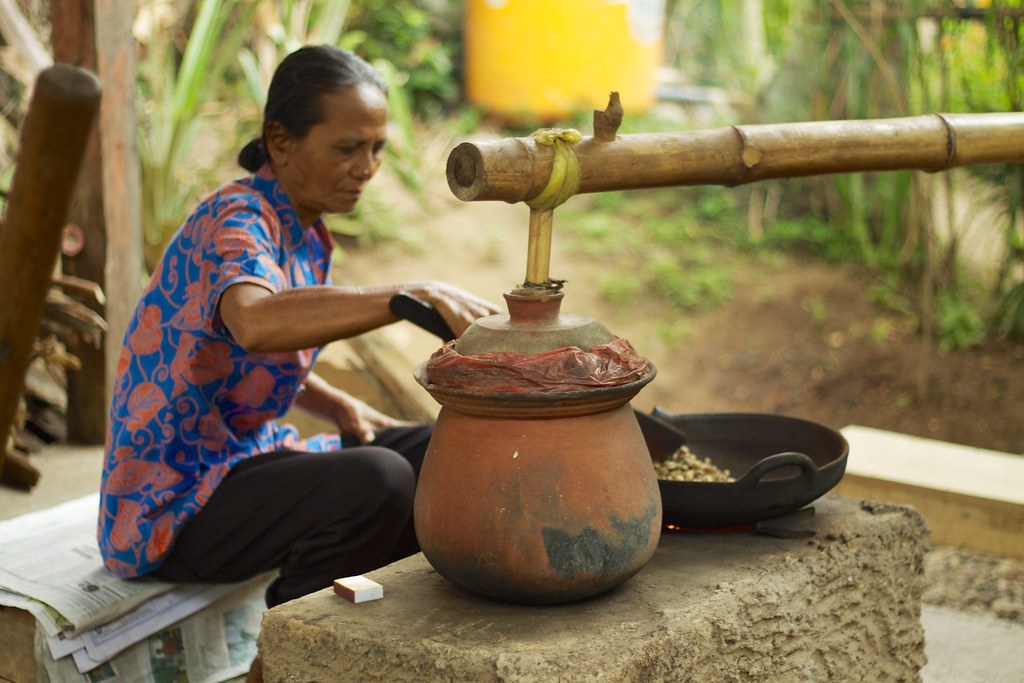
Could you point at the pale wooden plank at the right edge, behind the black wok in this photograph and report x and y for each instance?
(972, 498)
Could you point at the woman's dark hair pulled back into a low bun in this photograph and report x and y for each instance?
(298, 89)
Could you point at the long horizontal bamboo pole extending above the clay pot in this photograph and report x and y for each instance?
(518, 169)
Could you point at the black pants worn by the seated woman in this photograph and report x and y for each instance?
(315, 517)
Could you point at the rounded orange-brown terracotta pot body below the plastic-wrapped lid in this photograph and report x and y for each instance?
(538, 500)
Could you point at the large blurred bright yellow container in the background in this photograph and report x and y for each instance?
(549, 59)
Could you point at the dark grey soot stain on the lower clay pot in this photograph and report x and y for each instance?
(591, 552)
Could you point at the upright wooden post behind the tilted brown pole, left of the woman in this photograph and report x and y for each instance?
(97, 35)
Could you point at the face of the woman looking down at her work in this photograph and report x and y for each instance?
(326, 172)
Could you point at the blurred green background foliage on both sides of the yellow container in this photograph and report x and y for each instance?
(204, 68)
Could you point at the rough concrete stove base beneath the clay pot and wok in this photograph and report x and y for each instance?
(844, 605)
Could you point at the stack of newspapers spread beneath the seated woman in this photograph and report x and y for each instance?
(96, 627)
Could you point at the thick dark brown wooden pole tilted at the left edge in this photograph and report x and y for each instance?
(53, 146)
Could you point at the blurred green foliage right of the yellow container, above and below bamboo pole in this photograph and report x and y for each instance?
(786, 61)
